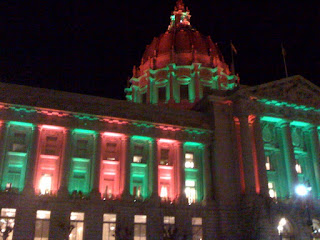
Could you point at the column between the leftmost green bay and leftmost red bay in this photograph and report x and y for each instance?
(31, 164)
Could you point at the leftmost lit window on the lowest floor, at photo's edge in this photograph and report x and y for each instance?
(7, 222)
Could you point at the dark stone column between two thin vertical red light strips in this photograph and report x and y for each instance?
(248, 164)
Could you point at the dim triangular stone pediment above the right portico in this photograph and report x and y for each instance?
(294, 89)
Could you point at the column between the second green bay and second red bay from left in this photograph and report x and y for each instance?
(95, 193)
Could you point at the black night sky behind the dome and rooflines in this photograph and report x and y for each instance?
(90, 47)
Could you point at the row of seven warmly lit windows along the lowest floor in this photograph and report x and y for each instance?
(111, 230)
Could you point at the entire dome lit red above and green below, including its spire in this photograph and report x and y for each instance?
(180, 67)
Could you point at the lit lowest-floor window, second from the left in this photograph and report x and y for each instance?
(42, 225)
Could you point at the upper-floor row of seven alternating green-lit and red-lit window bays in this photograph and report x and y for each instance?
(51, 146)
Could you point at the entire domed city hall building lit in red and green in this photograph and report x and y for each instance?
(192, 154)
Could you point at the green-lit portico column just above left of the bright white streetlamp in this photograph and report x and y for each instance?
(287, 148)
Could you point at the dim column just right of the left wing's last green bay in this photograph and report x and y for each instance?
(208, 186)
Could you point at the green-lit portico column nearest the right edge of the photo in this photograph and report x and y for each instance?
(314, 160)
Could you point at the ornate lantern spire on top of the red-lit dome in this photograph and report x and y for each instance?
(180, 16)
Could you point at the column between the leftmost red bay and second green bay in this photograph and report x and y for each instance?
(63, 189)
